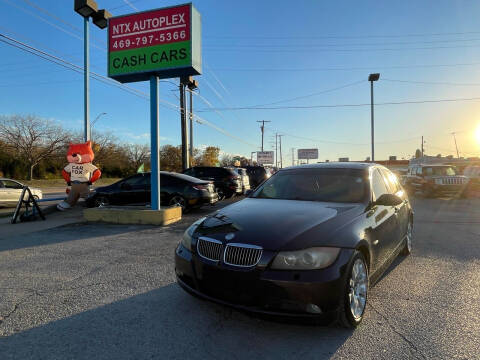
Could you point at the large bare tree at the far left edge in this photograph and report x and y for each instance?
(30, 138)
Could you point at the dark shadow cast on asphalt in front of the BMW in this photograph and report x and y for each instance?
(167, 323)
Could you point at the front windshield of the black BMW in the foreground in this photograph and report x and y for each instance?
(326, 185)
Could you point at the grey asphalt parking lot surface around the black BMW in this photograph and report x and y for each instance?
(96, 291)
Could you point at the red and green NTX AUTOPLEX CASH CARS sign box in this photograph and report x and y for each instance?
(163, 42)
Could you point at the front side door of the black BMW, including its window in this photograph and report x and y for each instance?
(384, 231)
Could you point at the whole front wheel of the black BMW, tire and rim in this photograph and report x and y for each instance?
(354, 299)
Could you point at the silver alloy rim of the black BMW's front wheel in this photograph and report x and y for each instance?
(358, 289)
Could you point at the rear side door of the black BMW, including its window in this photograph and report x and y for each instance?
(401, 211)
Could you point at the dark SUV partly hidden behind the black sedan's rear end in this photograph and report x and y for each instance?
(227, 181)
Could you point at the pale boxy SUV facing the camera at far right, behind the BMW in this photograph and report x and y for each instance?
(433, 180)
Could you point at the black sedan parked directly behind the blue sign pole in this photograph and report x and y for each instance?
(175, 189)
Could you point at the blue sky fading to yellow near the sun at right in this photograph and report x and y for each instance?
(306, 62)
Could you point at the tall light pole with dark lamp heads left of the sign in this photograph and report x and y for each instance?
(87, 9)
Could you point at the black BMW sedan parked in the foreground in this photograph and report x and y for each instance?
(309, 242)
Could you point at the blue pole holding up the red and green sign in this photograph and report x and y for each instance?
(154, 144)
